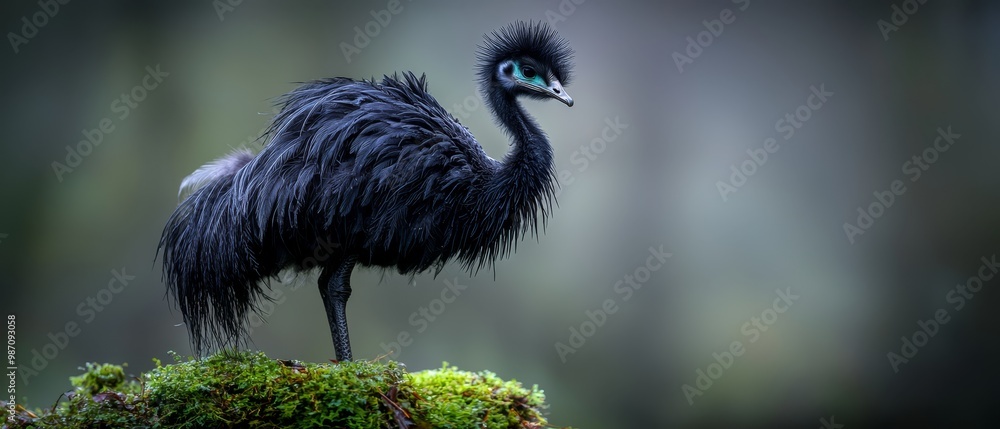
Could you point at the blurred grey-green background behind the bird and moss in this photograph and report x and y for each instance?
(653, 184)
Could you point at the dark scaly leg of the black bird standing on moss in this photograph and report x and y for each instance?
(335, 288)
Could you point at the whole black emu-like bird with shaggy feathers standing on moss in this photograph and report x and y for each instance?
(374, 173)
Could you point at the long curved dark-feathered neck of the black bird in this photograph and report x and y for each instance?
(520, 191)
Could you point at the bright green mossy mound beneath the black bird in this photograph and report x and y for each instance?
(251, 390)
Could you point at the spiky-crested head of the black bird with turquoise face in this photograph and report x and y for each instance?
(527, 59)
